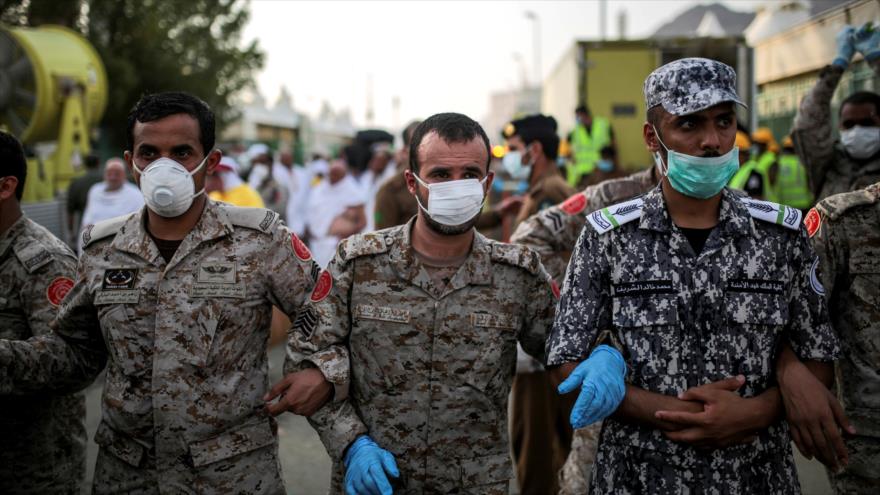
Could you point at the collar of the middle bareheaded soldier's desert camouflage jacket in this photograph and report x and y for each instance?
(476, 269)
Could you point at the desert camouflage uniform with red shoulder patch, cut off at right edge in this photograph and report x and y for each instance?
(847, 238)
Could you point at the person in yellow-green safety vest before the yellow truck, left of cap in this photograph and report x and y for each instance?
(587, 139)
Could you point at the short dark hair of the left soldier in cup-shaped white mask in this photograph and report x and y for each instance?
(160, 105)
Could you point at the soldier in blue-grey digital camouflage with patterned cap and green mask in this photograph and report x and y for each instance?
(699, 287)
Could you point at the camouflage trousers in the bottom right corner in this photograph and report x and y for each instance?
(862, 475)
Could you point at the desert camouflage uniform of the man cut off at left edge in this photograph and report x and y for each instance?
(44, 435)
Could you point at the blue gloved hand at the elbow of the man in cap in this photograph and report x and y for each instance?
(600, 378)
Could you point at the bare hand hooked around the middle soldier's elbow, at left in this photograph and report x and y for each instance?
(303, 393)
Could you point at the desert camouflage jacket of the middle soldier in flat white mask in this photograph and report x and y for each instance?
(430, 367)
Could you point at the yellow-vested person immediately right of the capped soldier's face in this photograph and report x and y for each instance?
(757, 175)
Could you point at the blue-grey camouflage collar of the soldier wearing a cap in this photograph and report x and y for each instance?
(733, 216)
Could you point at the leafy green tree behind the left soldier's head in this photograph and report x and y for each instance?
(149, 46)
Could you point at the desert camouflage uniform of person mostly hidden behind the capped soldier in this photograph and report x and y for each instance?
(552, 234)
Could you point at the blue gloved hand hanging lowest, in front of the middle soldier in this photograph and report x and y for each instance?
(366, 465)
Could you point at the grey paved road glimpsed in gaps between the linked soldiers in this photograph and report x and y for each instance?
(306, 464)
